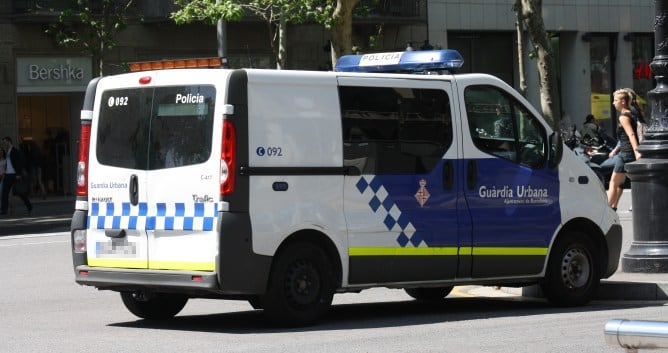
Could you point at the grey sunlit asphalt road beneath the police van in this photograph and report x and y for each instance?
(42, 309)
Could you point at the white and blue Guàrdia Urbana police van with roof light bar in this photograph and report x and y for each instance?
(285, 187)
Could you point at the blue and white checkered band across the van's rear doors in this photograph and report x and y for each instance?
(168, 216)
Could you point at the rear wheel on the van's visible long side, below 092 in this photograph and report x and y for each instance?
(301, 286)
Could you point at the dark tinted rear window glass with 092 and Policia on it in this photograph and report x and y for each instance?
(155, 128)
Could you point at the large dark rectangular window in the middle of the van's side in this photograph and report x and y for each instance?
(390, 130)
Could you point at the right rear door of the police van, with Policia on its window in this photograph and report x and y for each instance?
(183, 178)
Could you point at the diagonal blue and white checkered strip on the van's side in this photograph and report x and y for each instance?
(381, 203)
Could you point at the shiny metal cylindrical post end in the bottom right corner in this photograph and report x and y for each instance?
(634, 335)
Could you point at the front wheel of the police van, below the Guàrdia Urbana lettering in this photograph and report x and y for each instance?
(573, 271)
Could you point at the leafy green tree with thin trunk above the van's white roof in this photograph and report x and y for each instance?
(276, 14)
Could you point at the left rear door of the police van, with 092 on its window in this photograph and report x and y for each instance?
(118, 208)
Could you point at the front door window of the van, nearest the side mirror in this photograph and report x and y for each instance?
(501, 126)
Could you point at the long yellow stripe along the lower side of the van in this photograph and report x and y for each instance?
(463, 251)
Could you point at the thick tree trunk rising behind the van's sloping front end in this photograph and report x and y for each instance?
(529, 14)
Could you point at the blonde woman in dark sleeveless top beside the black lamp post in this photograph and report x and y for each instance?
(628, 145)
